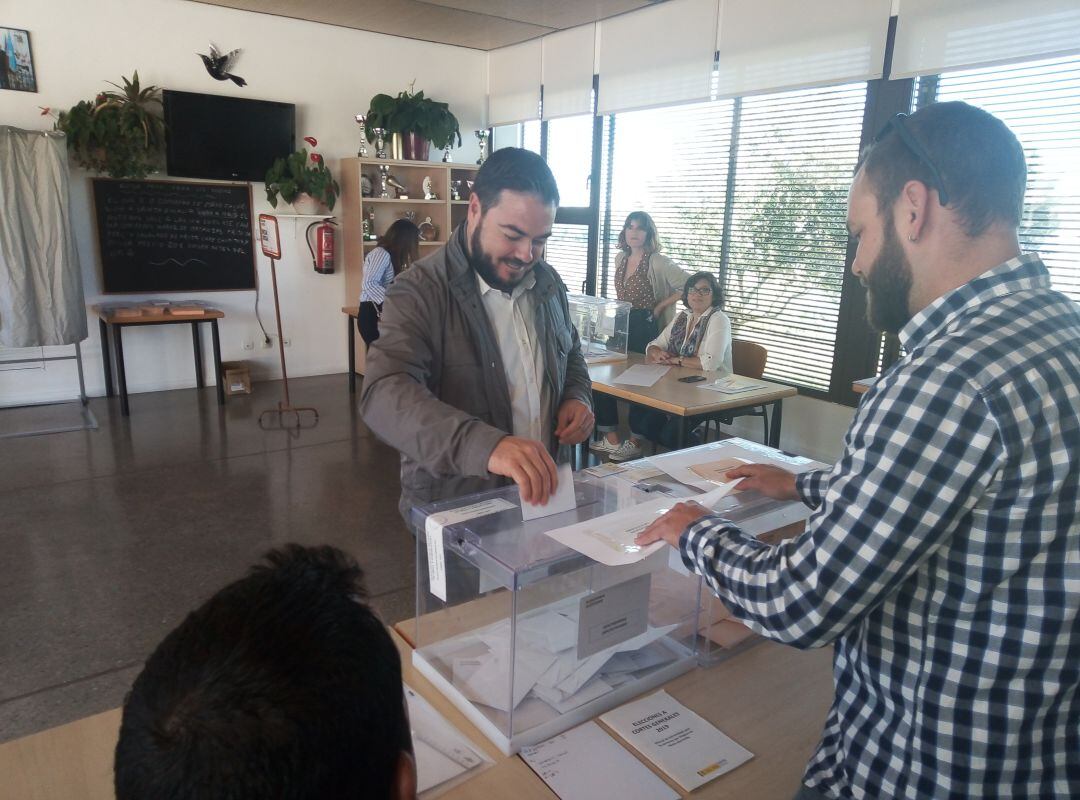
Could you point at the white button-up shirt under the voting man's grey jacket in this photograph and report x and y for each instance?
(514, 319)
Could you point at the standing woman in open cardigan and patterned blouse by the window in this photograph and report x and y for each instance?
(652, 283)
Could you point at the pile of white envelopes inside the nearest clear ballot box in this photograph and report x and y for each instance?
(547, 667)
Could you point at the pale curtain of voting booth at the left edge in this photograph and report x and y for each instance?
(42, 297)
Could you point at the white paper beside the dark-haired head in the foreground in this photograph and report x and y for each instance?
(442, 752)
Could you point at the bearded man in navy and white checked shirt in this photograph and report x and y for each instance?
(943, 555)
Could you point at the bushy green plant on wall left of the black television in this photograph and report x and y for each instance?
(118, 133)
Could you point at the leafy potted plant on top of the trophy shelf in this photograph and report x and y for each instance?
(420, 120)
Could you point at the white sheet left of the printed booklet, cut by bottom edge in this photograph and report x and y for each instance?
(586, 764)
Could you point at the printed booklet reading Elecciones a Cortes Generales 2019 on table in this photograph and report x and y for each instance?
(686, 747)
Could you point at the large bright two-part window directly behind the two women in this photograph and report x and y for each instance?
(757, 191)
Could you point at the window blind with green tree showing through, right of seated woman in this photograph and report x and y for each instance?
(796, 154)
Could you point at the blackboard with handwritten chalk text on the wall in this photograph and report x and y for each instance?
(163, 236)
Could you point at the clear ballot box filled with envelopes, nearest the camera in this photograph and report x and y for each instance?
(529, 638)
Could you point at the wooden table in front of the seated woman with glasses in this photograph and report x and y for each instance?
(687, 402)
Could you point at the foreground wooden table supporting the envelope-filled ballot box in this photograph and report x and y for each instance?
(772, 699)
